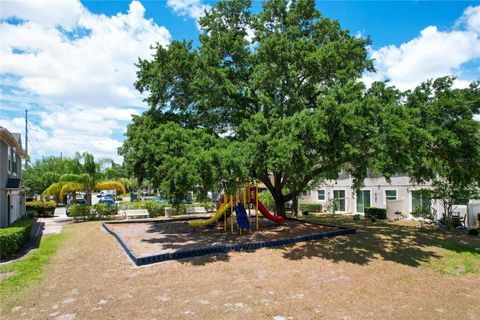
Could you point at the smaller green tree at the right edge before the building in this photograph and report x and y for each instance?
(445, 140)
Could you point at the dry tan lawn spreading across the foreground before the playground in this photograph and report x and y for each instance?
(91, 278)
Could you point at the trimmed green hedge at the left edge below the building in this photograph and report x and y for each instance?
(12, 238)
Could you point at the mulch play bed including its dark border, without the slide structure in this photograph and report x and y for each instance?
(148, 242)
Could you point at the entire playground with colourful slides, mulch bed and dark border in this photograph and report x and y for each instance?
(147, 242)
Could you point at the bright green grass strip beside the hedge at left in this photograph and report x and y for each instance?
(21, 274)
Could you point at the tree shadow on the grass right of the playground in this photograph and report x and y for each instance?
(381, 241)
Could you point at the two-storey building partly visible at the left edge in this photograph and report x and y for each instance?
(12, 190)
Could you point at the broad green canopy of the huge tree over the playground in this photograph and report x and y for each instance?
(274, 95)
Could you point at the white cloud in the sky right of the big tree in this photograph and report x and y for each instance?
(432, 54)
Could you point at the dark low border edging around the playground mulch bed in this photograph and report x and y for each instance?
(182, 254)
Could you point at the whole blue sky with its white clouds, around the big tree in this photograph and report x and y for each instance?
(70, 63)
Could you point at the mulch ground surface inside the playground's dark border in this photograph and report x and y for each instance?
(149, 238)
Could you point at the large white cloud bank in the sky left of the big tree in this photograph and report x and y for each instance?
(79, 67)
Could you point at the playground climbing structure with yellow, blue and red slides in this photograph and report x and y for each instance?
(237, 204)
